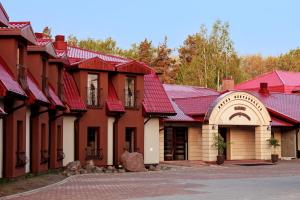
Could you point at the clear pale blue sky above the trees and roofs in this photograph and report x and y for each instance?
(256, 26)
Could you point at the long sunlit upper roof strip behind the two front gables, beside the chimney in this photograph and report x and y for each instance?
(76, 52)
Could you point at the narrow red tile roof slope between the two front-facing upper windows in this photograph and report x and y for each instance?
(113, 103)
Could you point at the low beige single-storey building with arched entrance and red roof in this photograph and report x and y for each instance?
(245, 119)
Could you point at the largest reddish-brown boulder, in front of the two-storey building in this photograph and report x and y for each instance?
(133, 162)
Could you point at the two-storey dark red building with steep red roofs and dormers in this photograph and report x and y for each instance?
(61, 103)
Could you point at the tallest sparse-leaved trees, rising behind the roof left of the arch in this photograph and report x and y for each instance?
(206, 58)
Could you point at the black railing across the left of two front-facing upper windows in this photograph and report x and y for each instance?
(94, 99)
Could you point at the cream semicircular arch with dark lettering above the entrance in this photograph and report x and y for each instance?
(238, 108)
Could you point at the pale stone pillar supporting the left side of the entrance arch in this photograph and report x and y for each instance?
(209, 153)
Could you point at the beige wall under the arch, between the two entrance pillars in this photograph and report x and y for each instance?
(242, 143)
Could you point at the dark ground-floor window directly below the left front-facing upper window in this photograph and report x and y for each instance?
(93, 146)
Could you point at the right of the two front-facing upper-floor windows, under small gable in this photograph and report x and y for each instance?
(130, 92)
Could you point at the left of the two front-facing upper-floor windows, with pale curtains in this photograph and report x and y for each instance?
(92, 90)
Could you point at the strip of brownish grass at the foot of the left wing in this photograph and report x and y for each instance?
(29, 182)
